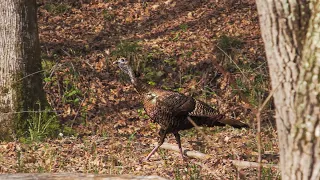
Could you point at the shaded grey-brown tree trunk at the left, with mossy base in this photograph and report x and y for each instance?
(20, 65)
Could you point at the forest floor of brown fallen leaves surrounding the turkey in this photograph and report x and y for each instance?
(171, 44)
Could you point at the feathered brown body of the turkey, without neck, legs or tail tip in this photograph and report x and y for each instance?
(171, 110)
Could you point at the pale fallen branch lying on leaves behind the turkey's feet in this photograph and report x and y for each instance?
(199, 155)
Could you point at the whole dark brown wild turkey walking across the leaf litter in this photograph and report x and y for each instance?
(171, 109)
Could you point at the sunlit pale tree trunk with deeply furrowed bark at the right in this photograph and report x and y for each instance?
(291, 33)
